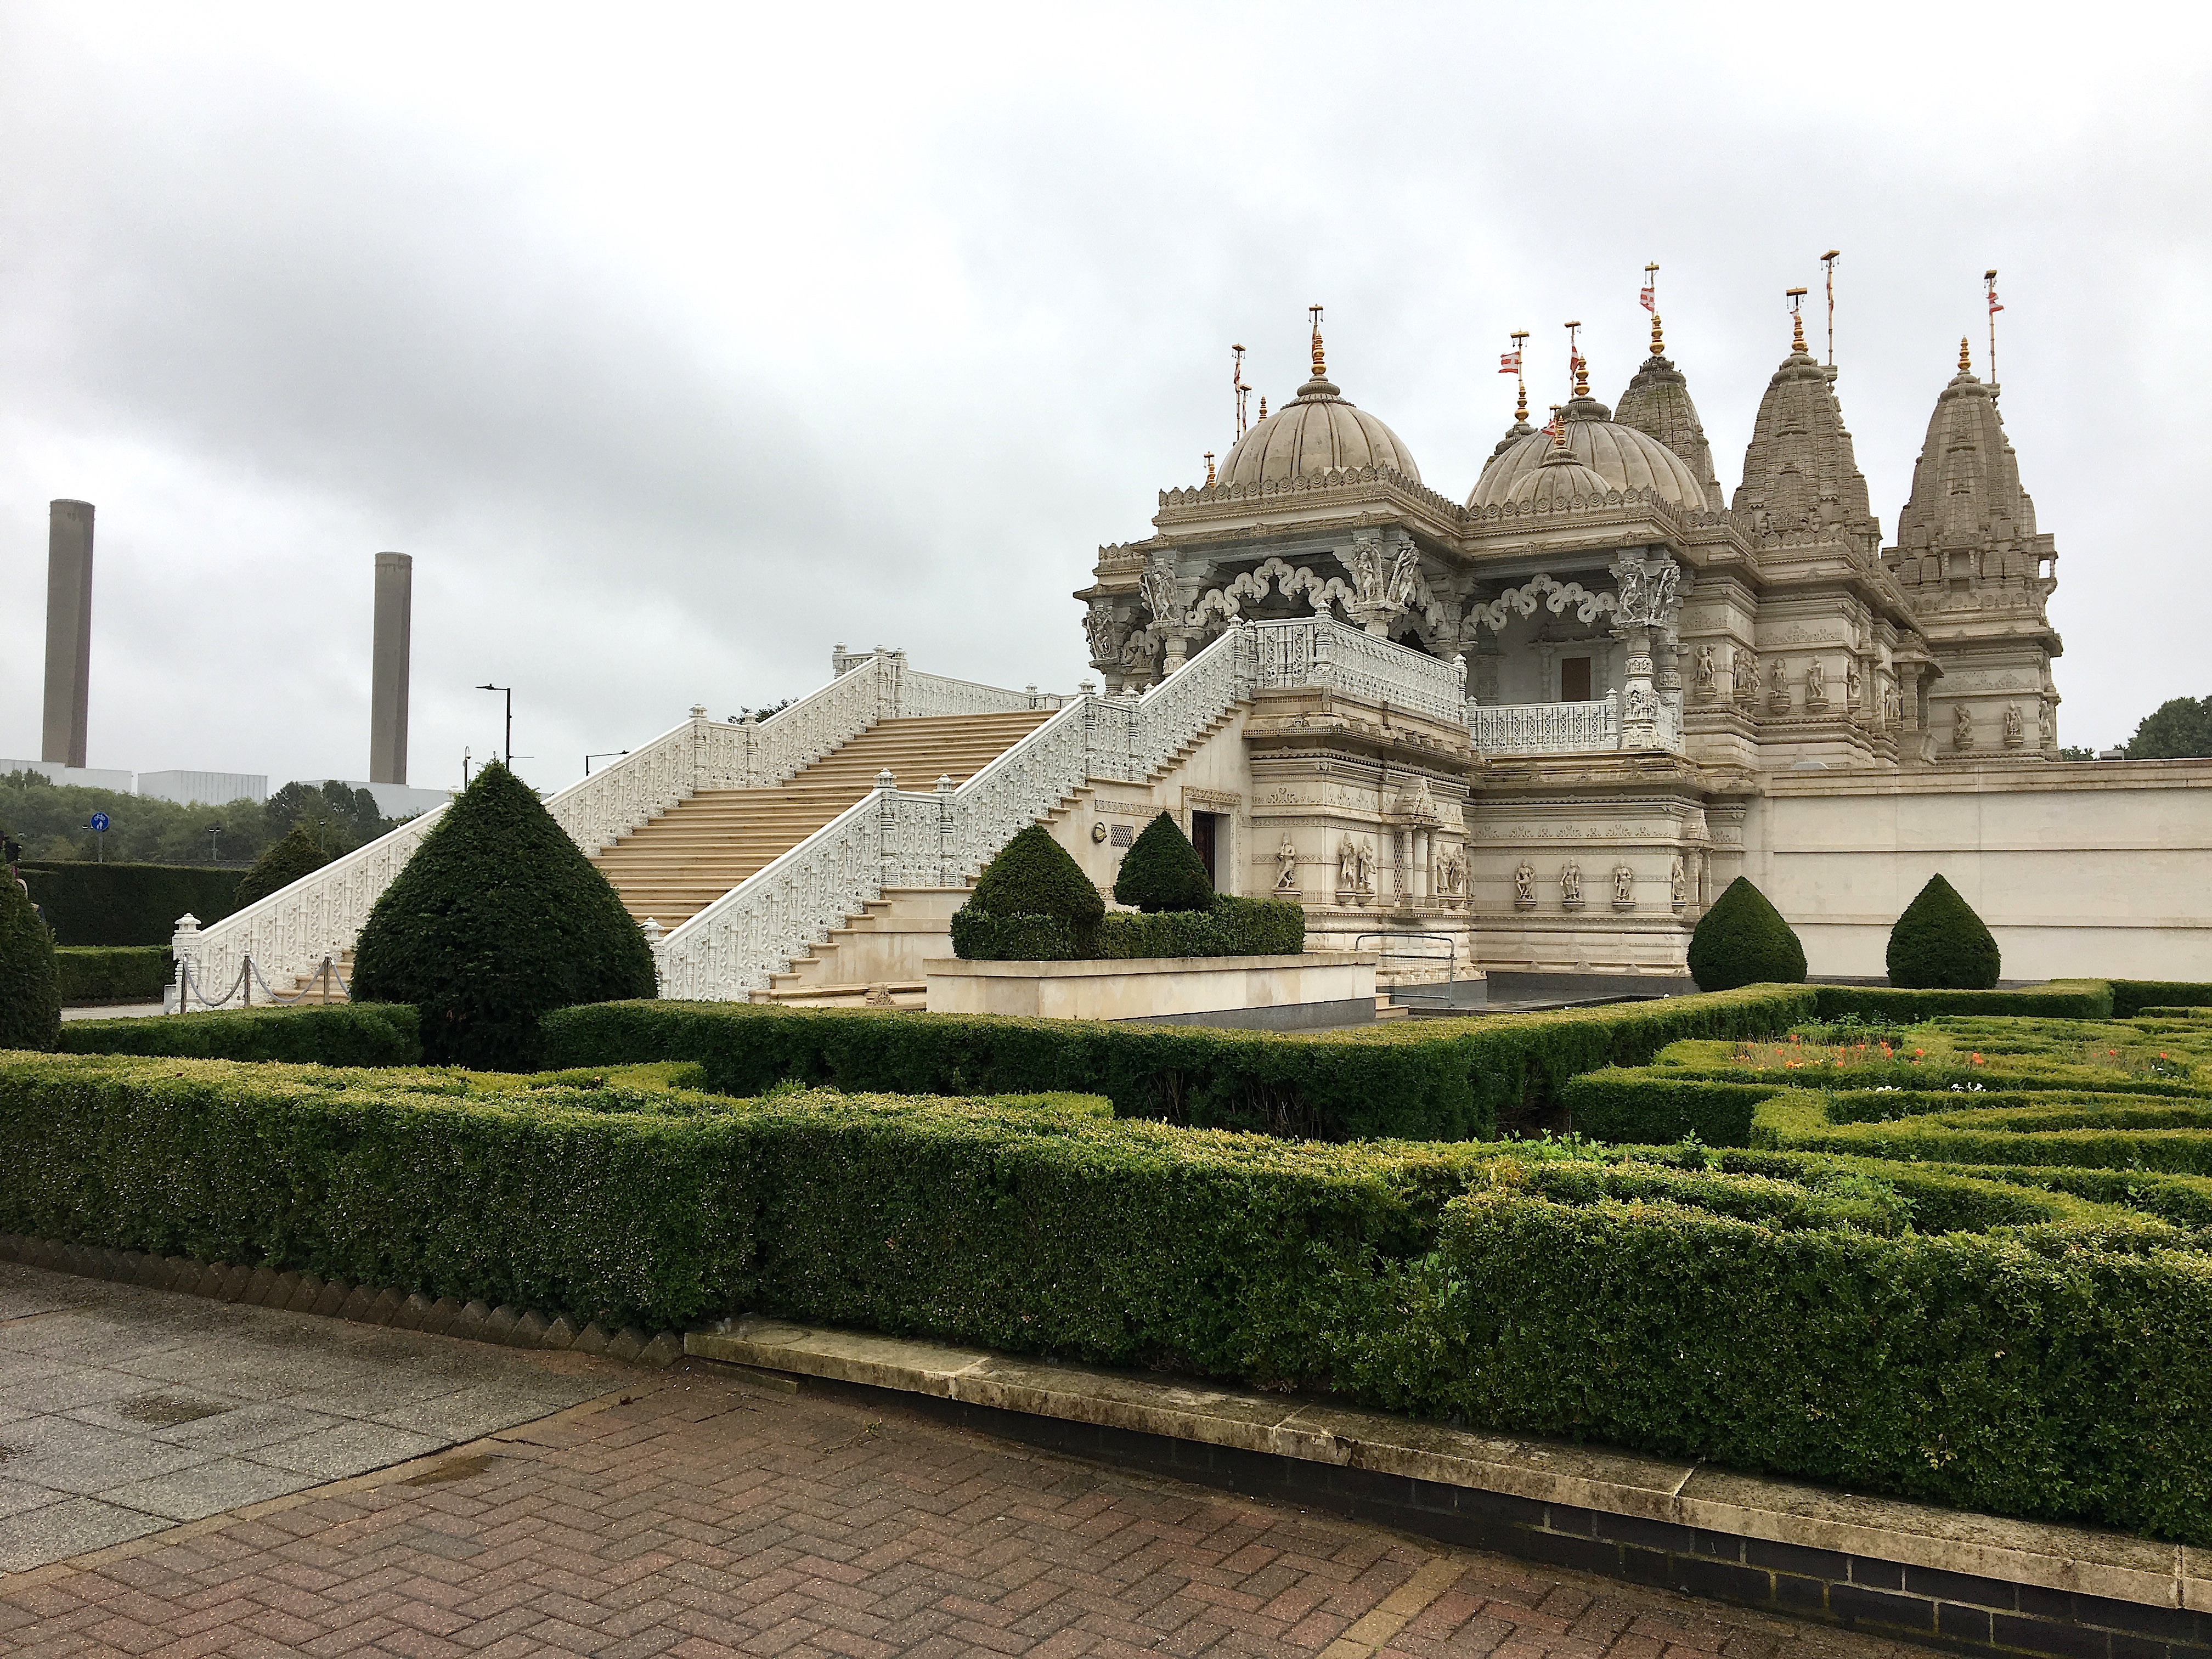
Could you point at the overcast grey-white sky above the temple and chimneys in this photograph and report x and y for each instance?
(685, 344)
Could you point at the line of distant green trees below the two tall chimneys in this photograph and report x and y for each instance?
(54, 824)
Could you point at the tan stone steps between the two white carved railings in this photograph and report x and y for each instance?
(682, 862)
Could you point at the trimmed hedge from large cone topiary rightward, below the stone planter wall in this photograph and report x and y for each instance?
(1439, 1081)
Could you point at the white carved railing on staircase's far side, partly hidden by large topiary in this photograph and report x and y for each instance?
(322, 912)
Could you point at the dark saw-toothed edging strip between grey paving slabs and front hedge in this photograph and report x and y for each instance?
(304, 1293)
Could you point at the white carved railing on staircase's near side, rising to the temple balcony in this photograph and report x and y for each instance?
(946, 837)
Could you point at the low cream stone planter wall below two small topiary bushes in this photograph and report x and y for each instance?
(1149, 985)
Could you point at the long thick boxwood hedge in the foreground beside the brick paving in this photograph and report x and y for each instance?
(1952, 1339)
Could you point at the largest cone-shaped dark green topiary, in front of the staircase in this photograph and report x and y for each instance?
(497, 921)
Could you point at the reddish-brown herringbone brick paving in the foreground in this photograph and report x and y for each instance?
(700, 1514)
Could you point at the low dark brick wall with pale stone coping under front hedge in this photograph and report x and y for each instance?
(1950, 1578)
